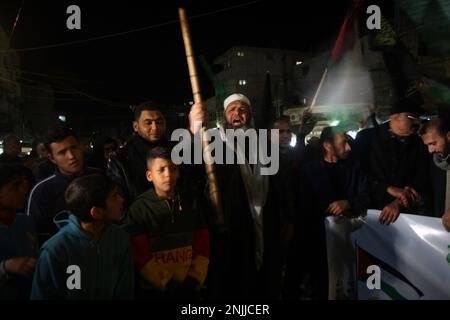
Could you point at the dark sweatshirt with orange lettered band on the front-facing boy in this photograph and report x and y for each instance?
(169, 240)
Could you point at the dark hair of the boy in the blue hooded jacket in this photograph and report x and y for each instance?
(87, 192)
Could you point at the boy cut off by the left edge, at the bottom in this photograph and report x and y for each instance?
(18, 243)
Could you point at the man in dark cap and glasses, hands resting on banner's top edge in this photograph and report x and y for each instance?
(396, 163)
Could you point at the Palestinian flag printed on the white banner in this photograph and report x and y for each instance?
(394, 285)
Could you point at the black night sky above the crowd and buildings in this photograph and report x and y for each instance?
(150, 64)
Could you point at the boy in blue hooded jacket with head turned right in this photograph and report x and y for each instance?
(90, 257)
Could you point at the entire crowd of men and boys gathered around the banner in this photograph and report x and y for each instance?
(128, 223)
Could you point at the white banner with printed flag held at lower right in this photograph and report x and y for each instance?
(407, 260)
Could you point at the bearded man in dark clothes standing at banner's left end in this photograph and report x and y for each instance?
(332, 185)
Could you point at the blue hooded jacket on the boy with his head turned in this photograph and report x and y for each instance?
(106, 266)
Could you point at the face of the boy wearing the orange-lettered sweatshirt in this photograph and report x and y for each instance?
(164, 175)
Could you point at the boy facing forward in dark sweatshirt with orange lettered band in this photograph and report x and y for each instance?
(169, 240)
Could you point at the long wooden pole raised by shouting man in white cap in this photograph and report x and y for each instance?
(210, 172)
